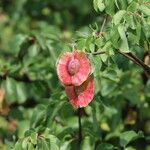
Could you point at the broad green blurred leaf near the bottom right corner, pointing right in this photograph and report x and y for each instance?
(129, 136)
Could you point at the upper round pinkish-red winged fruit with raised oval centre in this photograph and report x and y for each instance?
(73, 68)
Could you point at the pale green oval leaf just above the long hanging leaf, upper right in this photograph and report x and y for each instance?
(118, 16)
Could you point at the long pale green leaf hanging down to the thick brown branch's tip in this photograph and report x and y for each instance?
(124, 43)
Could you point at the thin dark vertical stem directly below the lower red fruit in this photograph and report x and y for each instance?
(80, 127)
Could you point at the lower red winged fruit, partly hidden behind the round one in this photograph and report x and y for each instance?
(81, 96)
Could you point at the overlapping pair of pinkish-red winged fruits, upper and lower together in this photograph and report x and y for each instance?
(74, 72)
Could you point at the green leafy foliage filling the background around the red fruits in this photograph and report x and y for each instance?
(35, 112)
